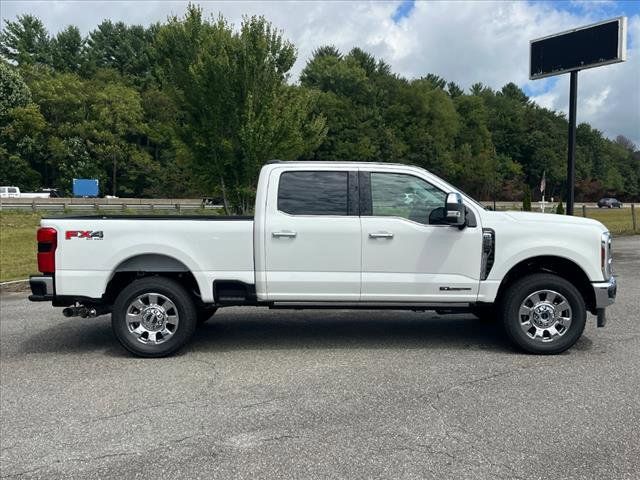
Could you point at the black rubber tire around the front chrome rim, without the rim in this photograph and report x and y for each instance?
(516, 294)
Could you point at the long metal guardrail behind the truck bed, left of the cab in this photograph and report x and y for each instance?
(103, 204)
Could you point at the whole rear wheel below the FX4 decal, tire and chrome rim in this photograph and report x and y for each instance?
(153, 317)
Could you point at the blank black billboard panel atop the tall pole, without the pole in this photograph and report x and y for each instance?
(590, 46)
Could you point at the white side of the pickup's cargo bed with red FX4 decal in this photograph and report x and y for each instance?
(91, 249)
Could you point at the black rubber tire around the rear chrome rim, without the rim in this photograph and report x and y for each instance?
(175, 293)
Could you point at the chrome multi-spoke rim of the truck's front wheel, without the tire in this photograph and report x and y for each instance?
(545, 316)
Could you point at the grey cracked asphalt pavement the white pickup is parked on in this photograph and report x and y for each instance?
(321, 394)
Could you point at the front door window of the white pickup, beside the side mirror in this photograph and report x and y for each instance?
(406, 196)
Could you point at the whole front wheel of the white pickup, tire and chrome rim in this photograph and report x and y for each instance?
(543, 313)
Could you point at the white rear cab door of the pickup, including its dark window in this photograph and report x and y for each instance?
(312, 235)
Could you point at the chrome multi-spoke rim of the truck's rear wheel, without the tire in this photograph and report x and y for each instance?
(152, 318)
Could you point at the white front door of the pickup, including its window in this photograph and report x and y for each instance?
(406, 255)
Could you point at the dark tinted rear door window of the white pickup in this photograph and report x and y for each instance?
(313, 193)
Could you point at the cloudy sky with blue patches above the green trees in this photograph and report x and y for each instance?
(463, 41)
